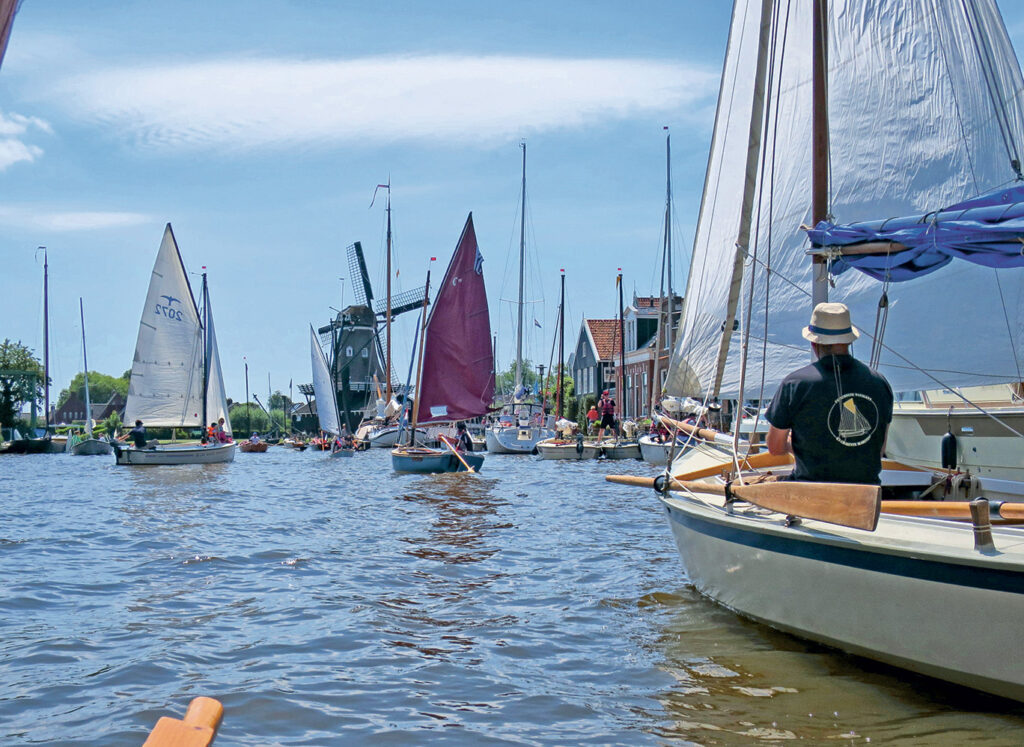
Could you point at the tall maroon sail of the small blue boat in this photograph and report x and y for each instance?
(458, 361)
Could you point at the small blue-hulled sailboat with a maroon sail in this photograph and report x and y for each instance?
(455, 380)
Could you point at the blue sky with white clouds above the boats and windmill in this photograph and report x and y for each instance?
(260, 131)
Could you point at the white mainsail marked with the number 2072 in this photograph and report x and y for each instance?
(166, 388)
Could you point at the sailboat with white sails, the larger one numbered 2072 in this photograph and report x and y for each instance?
(177, 382)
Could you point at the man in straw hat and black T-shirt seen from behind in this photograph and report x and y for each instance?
(834, 414)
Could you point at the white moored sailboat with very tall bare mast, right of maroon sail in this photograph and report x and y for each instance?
(519, 431)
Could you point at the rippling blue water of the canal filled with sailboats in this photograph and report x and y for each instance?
(327, 602)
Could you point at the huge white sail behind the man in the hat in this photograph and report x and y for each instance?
(916, 96)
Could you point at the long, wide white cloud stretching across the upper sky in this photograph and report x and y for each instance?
(254, 103)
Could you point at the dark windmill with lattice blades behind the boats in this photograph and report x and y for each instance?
(354, 341)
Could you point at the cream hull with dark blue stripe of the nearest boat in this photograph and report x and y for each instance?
(915, 594)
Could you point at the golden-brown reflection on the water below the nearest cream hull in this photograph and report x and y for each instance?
(735, 681)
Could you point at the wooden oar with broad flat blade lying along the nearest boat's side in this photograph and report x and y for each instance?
(842, 504)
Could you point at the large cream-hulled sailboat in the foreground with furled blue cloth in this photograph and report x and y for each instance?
(924, 112)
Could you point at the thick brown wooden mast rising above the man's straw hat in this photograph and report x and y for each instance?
(820, 140)
